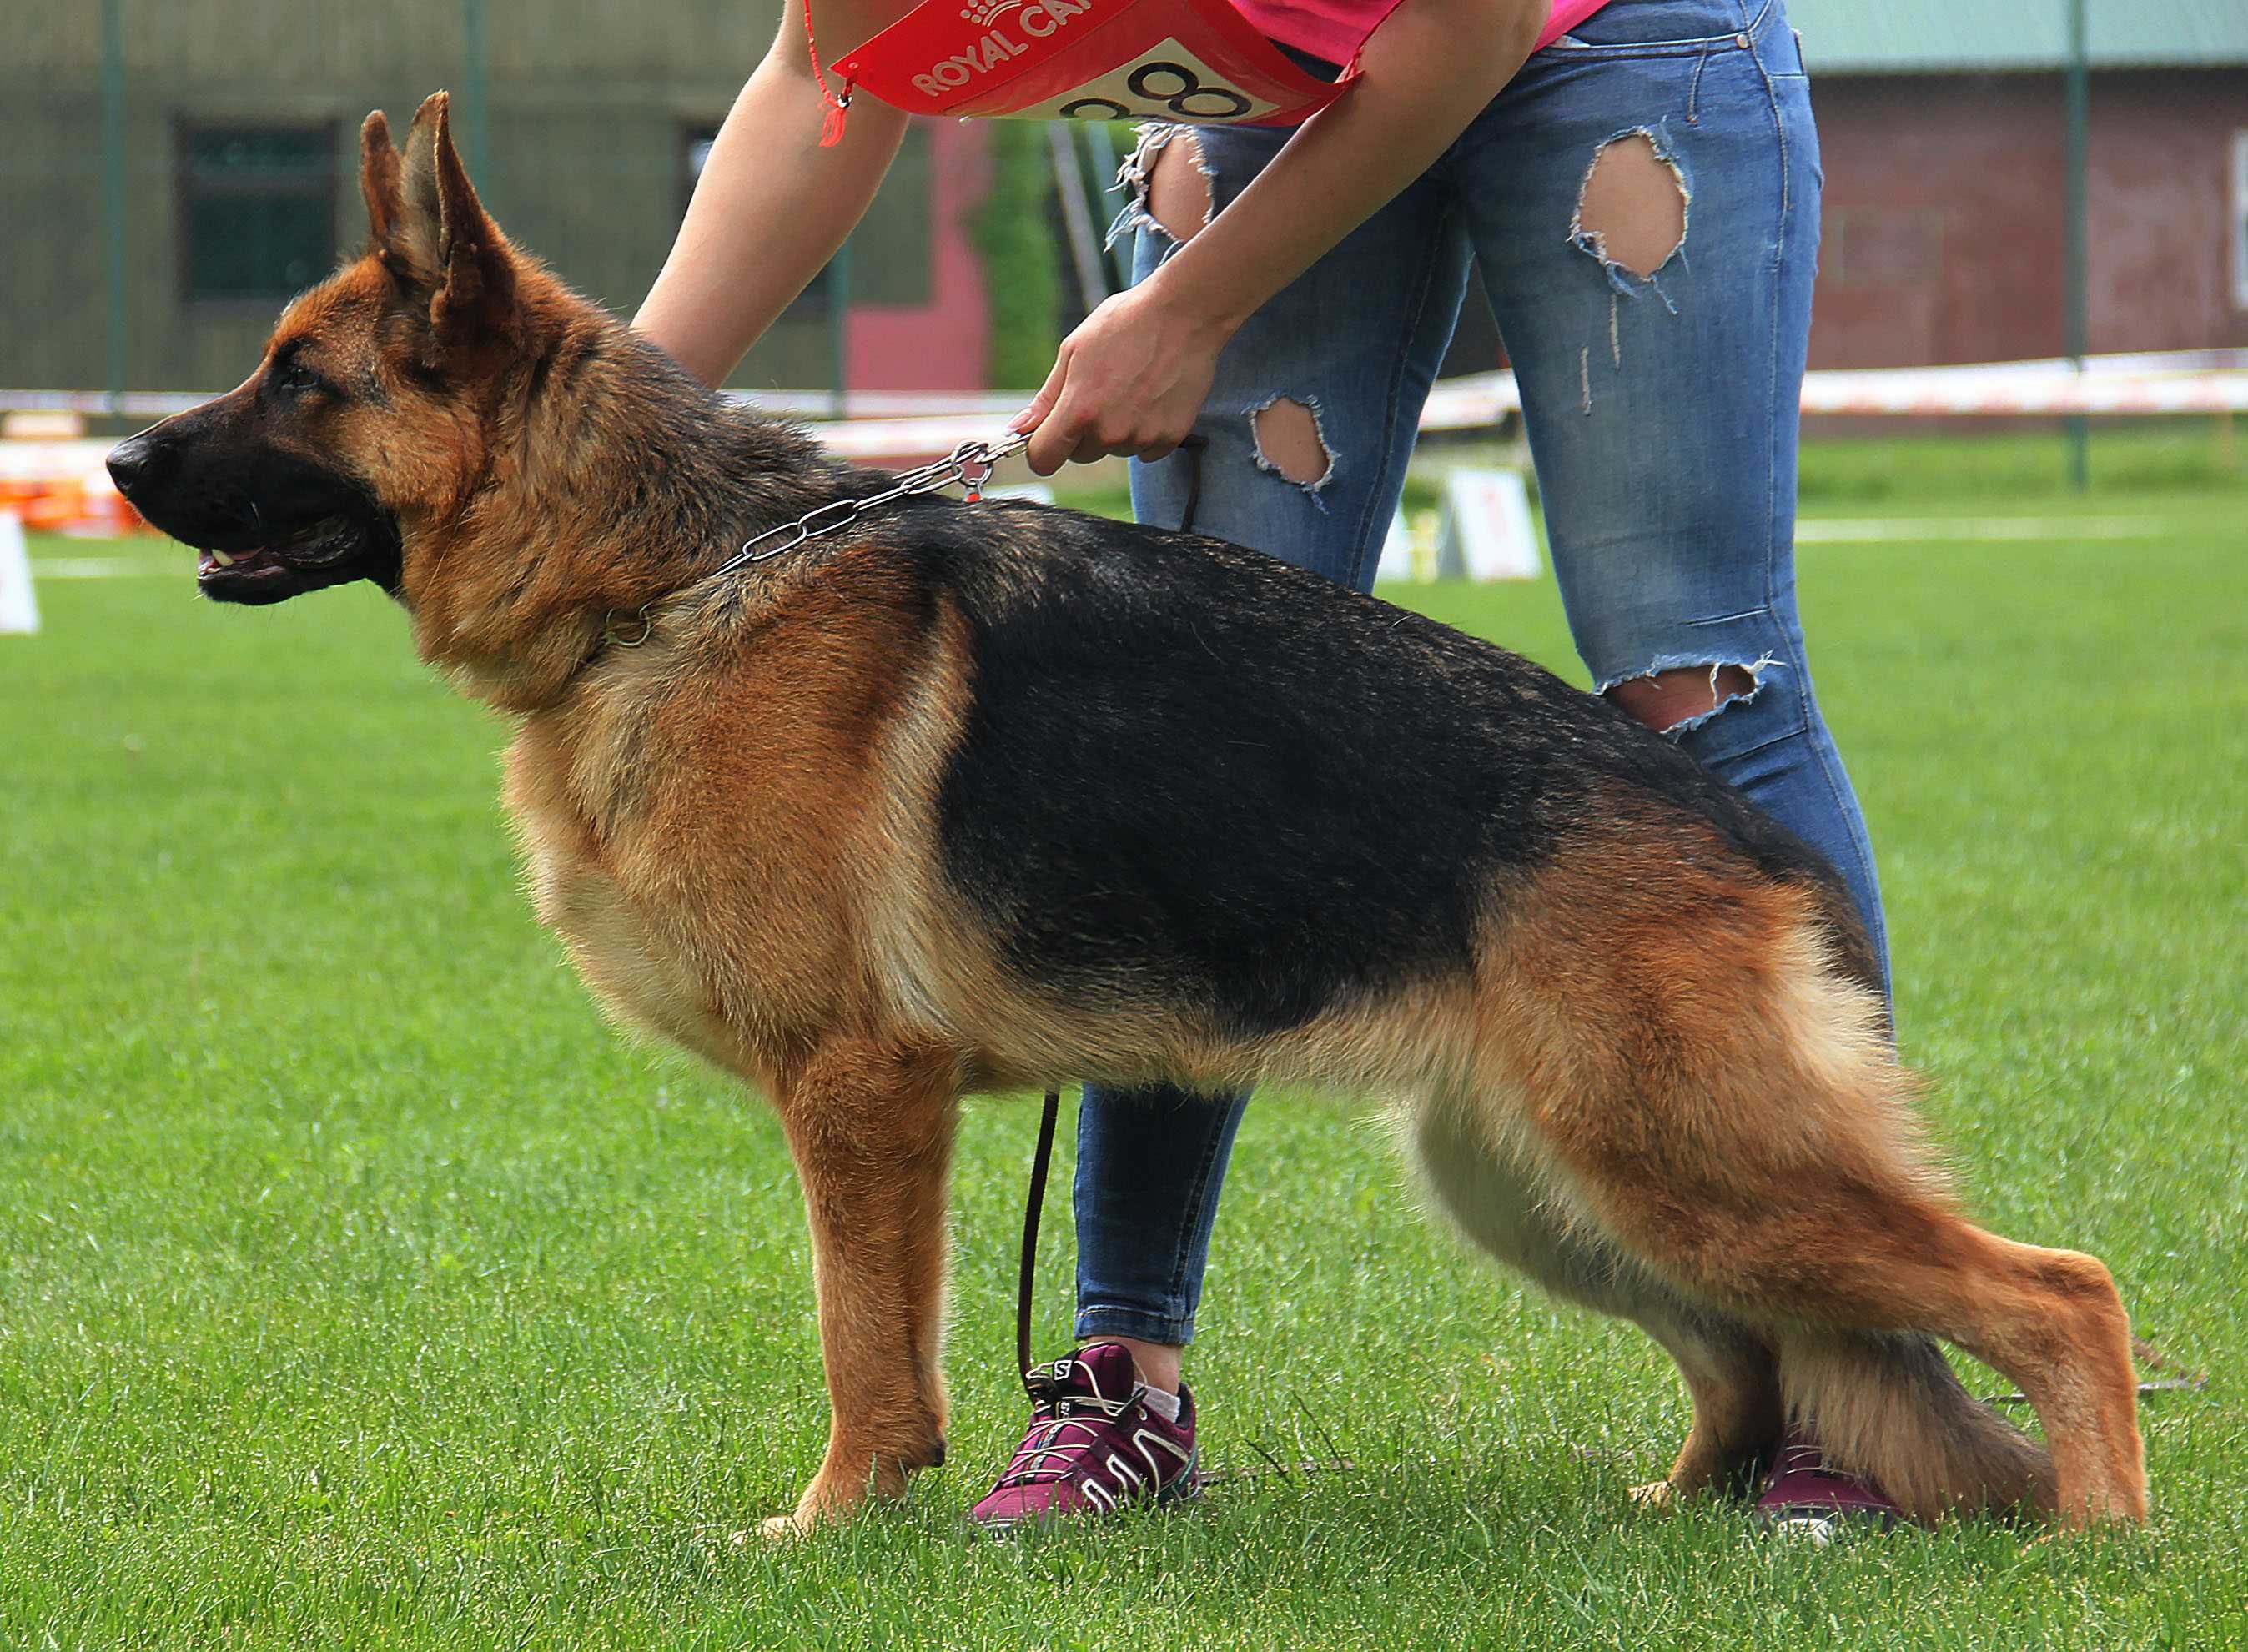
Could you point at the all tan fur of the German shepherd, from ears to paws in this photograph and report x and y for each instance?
(1662, 1087)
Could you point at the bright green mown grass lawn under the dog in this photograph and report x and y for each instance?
(361, 1287)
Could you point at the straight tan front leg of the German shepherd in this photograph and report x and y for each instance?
(873, 1136)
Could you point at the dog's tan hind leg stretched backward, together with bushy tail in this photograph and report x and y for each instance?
(1746, 1136)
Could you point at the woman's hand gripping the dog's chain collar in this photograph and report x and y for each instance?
(1130, 381)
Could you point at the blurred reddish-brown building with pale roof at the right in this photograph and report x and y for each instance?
(1943, 127)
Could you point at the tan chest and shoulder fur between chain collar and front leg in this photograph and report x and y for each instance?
(700, 826)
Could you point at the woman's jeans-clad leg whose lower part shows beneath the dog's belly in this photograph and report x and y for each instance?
(1307, 426)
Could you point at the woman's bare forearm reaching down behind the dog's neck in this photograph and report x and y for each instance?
(770, 210)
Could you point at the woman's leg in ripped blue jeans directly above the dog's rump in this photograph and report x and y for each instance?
(1644, 201)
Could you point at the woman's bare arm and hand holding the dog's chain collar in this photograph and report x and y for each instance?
(1134, 374)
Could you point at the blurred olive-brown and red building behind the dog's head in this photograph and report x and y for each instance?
(233, 174)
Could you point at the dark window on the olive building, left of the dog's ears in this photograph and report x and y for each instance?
(257, 212)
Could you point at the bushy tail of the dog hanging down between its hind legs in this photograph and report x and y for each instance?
(1892, 1410)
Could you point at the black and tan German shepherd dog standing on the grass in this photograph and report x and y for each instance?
(972, 797)
